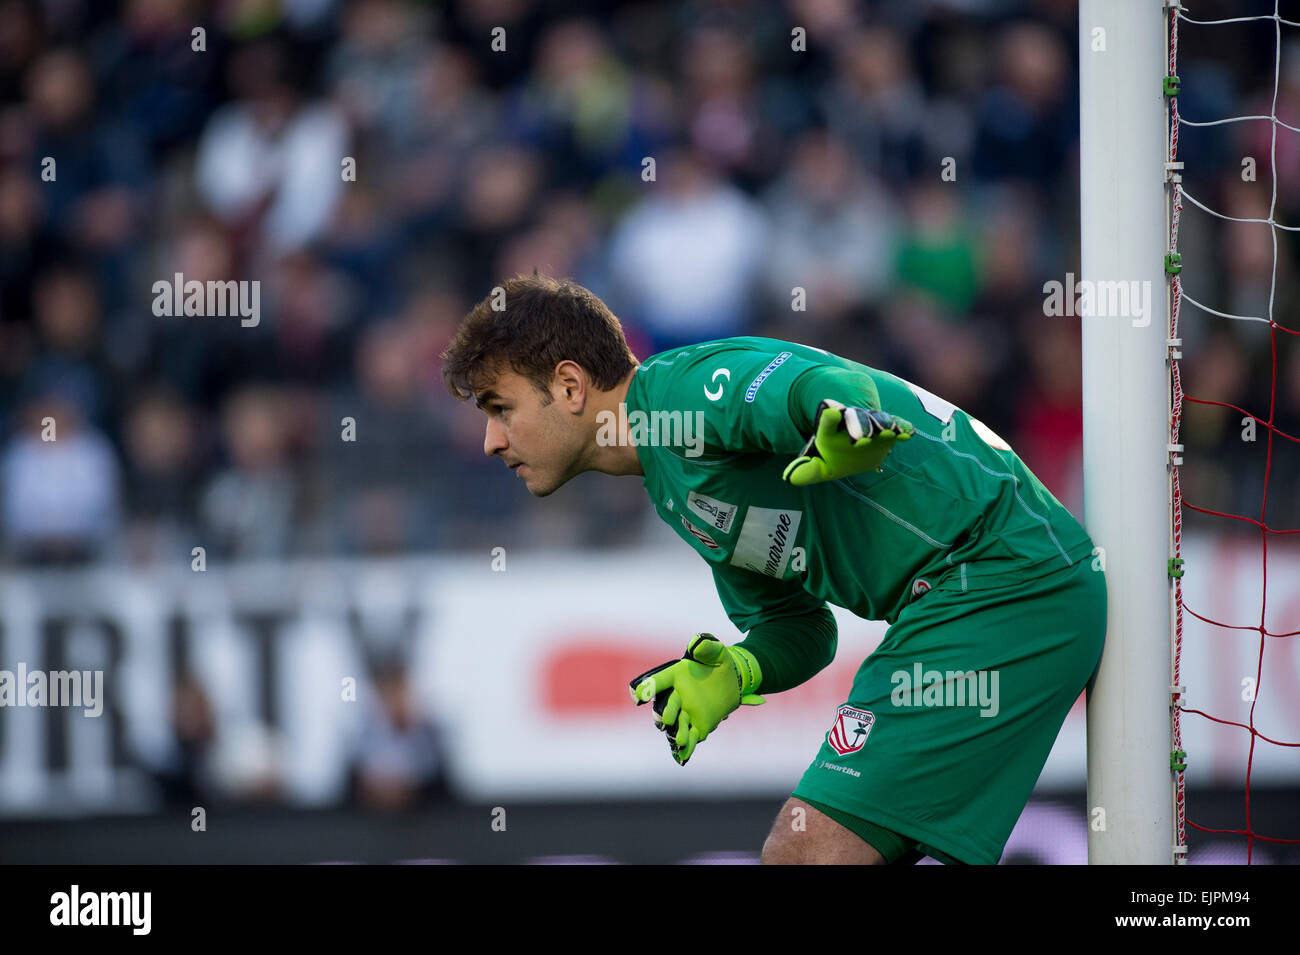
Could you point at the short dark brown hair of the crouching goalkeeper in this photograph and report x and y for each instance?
(545, 322)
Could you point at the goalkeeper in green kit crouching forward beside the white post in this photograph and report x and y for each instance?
(816, 480)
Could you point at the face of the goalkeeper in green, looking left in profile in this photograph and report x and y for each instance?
(543, 444)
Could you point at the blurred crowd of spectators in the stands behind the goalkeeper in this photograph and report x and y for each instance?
(775, 168)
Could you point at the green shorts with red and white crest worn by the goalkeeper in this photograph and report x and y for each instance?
(951, 720)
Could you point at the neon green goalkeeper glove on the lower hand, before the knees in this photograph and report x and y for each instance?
(692, 696)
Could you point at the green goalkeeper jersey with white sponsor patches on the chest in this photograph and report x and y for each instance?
(717, 423)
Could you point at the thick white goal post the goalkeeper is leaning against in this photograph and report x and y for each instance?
(1126, 413)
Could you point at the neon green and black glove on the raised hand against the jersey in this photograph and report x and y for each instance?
(848, 441)
